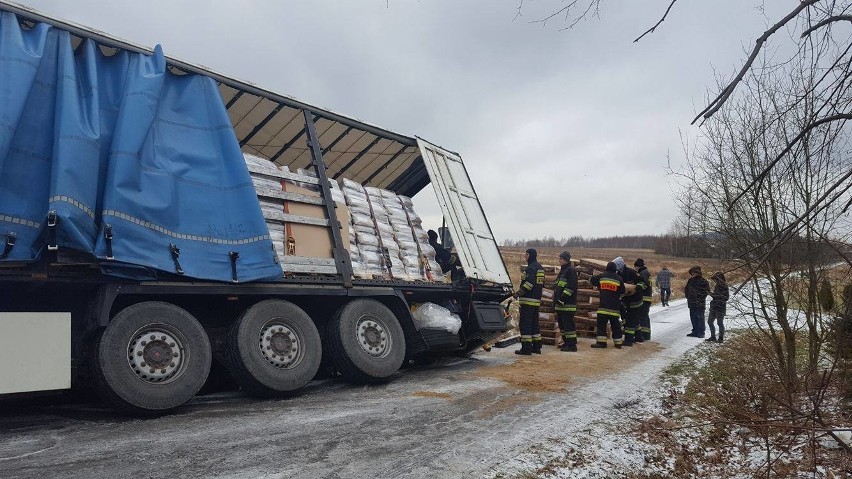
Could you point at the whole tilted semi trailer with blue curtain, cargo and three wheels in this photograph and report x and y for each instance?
(139, 245)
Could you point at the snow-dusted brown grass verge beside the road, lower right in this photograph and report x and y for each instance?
(722, 418)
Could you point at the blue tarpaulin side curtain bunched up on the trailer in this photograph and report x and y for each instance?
(120, 141)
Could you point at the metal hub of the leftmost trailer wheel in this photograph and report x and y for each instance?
(155, 355)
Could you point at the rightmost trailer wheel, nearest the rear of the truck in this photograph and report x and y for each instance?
(366, 341)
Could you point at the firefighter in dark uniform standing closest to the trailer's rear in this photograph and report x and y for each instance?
(529, 299)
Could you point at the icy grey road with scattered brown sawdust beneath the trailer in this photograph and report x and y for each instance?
(458, 418)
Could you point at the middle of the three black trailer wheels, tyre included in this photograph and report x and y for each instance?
(274, 348)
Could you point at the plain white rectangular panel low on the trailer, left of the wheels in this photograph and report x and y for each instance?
(36, 350)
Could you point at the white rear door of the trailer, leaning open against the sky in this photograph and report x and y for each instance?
(474, 241)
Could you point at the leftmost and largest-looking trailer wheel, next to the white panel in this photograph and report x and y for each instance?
(151, 358)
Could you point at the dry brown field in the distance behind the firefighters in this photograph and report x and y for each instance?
(514, 258)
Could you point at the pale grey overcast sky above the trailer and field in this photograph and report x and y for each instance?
(563, 132)
